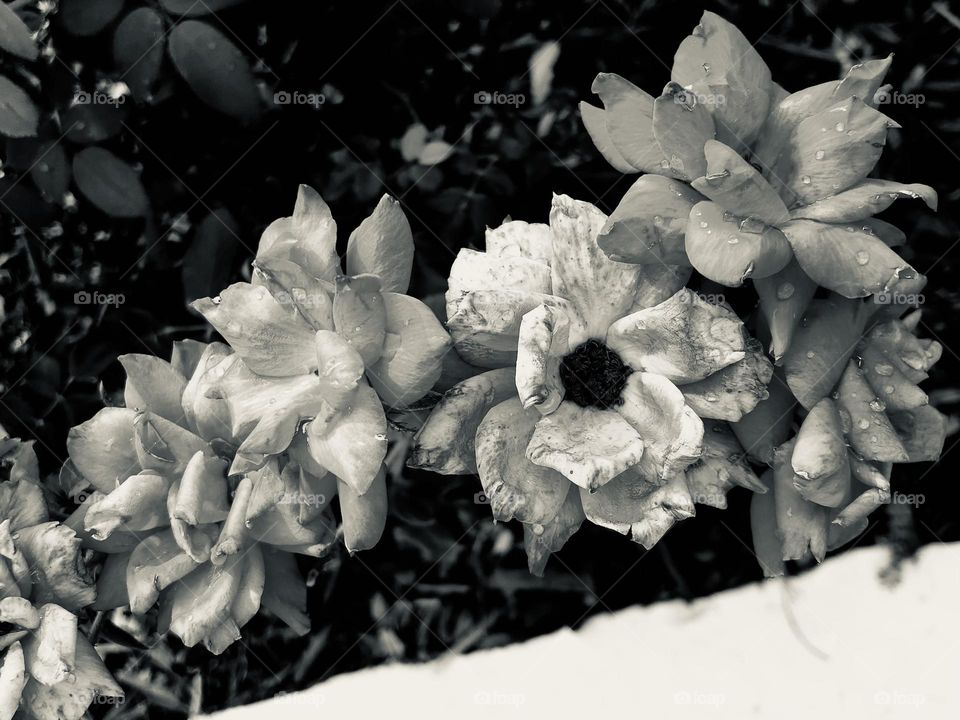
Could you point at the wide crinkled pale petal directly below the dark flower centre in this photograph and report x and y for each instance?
(588, 446)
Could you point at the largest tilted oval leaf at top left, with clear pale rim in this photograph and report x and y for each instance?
(215, 69)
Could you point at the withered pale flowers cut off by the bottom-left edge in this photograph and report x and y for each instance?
(48, 669)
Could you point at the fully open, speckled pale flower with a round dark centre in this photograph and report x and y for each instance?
(601, 373)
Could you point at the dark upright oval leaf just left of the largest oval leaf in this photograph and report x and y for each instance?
(138, 50)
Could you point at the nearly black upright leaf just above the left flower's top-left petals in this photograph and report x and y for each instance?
(207, 264)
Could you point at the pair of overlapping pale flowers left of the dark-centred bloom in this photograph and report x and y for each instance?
(224, 462)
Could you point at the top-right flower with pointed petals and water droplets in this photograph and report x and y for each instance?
(749, 181)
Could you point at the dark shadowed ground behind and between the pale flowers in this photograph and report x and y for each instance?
(444, 578)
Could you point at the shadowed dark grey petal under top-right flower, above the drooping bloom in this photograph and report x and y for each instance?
(825, 340)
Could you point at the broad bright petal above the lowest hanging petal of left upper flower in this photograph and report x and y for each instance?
(352, 442)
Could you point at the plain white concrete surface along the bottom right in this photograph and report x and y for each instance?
(835, 643)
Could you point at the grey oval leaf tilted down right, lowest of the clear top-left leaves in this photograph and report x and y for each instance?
(109, 183)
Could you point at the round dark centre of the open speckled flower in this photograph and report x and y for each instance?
(594, 375)
